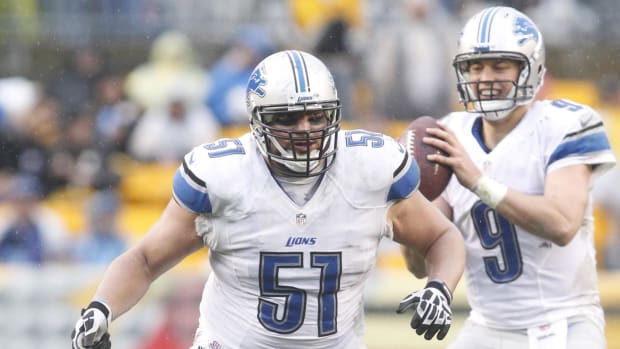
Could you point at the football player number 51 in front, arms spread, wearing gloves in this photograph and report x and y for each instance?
(292, 213)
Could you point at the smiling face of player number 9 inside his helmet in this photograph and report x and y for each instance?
(493, 78)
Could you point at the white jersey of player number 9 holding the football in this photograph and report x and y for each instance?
(516, 279)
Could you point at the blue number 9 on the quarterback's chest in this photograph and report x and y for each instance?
(494, 230)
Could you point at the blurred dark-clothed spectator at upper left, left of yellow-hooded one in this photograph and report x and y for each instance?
(74, 86)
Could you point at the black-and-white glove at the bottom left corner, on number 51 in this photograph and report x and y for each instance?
(91, 330)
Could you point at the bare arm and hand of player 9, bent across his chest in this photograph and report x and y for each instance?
(556, 215)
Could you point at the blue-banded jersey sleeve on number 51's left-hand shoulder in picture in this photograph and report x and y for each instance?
(188, 189)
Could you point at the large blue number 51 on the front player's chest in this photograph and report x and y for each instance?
(291, 317)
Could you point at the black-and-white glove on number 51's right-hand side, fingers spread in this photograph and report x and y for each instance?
(432, 310)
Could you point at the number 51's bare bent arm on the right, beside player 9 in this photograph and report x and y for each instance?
(426, 232)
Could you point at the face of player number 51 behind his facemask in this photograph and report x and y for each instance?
(301, 132)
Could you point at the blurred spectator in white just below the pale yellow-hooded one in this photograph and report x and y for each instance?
(166, 133)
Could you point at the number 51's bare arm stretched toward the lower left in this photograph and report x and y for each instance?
(129, 276)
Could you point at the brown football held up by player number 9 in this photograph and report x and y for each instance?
(433, 177)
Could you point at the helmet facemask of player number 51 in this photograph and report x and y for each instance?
(272, 127)
